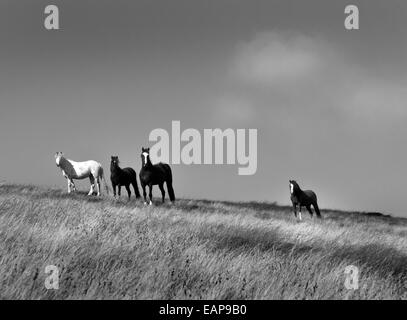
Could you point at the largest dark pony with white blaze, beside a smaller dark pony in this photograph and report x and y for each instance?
(151, 175)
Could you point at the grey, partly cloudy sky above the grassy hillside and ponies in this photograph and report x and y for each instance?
(329, 104)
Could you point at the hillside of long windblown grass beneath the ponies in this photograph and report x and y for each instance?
(194, 249)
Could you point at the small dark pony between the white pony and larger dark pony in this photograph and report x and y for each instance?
(123, 177)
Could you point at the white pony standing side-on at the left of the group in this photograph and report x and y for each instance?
(81, 170)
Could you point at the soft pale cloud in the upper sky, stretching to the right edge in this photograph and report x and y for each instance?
(312, 74)
